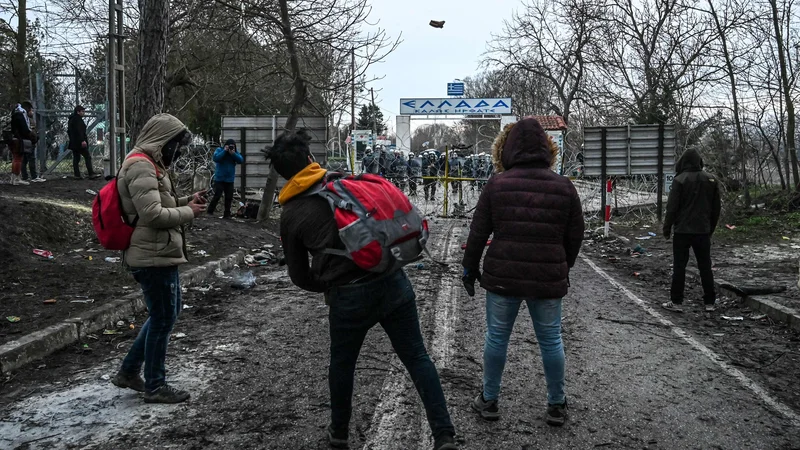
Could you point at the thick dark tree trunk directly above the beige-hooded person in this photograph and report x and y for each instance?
(151, 70)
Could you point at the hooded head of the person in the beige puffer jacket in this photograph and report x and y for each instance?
(161, 138)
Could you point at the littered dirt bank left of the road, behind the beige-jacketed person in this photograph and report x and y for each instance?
(56, 216)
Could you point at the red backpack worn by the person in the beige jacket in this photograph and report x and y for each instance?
(110, 222)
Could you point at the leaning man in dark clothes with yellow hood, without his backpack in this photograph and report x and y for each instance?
(358, 299)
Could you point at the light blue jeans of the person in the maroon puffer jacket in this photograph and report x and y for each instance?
(501, 312)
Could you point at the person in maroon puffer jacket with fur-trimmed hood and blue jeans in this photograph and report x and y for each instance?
(537, 222)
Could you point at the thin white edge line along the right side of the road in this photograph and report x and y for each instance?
(772, 402)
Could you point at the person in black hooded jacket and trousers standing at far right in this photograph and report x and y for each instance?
(693, 212)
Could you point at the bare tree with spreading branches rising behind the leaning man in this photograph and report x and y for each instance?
(317, 37)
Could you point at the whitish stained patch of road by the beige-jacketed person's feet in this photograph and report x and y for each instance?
(94, 411)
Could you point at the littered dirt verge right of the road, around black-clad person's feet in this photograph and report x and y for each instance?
(768, 351)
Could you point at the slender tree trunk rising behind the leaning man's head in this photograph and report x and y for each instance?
(298, 100)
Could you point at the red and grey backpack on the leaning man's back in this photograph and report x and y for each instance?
(380, 228)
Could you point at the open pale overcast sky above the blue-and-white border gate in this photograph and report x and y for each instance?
(429, 58)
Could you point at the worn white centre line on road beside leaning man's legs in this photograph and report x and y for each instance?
(390, 409)
